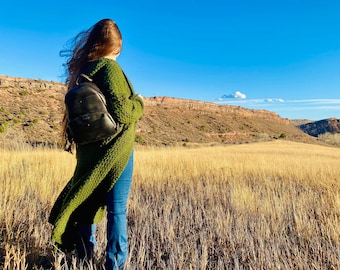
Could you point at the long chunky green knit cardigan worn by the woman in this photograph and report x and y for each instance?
(99, 164)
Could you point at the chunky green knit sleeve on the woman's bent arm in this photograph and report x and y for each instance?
(124, 105)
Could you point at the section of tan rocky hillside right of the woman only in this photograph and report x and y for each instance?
(170, 120)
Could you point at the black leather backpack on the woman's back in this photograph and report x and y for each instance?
(88, 117)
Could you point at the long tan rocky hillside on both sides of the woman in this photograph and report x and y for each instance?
(31, 111)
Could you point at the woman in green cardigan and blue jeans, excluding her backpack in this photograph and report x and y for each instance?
(103, 174)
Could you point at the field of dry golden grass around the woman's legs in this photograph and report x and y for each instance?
(271, 205)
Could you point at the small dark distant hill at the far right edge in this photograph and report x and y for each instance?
(331, 125)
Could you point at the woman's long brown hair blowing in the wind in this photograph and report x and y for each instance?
(102, 39)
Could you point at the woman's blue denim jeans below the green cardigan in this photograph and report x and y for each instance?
(117, 238)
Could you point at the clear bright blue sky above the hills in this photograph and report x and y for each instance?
(282, 56)
